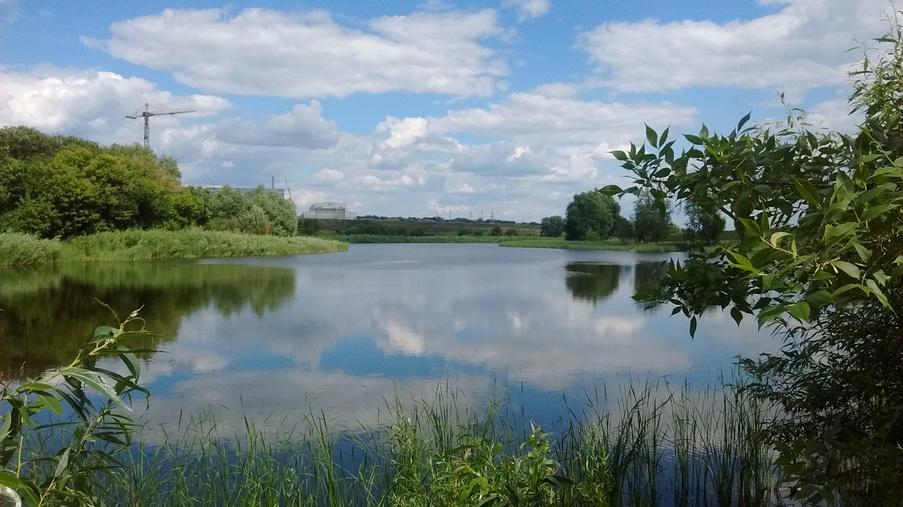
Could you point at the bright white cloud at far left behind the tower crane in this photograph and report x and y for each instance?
(91, 103)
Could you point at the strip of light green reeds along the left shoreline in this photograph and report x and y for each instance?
(24, 250)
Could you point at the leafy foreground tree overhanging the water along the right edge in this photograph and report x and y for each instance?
(820, 262)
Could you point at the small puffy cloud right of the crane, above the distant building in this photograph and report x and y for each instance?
(303, 127)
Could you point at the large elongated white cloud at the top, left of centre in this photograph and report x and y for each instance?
(268, 52)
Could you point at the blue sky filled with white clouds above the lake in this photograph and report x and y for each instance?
(500, 108)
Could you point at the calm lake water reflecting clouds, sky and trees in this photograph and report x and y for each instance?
(278, 337)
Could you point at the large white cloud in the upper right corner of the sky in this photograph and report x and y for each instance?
(801, 46)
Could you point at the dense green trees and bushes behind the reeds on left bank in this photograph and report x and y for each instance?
(55, 186)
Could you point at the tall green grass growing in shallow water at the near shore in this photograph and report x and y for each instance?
(655, 446)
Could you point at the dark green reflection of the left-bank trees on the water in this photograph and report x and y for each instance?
(49, 313)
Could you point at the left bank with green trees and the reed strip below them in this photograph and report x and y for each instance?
(64, 199)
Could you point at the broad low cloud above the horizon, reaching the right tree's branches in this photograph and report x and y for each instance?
(556, 136)
